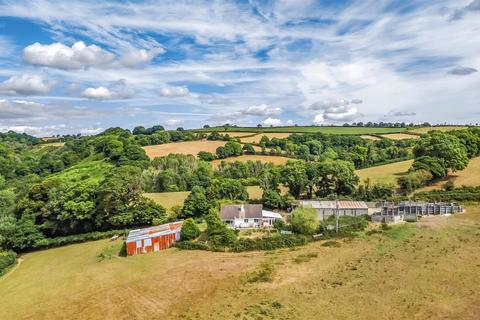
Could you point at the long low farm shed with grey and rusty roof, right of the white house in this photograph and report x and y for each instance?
(326, 209)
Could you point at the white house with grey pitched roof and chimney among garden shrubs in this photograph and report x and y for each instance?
(248, 216)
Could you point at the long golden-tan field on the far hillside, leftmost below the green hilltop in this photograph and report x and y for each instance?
(186, 147)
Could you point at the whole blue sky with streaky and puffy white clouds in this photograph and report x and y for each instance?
(84, 66)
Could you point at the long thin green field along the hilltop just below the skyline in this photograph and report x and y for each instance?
(308, 129)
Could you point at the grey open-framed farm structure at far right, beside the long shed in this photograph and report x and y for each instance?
(411, 211)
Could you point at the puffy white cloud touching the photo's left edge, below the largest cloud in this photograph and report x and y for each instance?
(25, 84)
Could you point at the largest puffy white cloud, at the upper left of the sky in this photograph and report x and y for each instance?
(58, 55)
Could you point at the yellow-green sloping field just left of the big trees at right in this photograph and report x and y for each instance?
(387, 173)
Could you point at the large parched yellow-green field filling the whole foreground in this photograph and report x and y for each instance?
(427, 270)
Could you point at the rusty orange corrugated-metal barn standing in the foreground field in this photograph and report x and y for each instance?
(153, 239)
